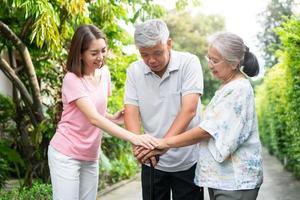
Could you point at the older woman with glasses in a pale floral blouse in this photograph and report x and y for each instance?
(230, 161)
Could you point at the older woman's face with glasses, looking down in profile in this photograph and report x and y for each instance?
(221, 69)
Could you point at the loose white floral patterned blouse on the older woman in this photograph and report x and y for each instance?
(231, 159)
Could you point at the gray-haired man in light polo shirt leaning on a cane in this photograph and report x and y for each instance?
(162, 93)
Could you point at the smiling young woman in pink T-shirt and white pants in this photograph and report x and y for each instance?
(74, 149)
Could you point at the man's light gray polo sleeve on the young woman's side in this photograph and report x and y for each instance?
(130, 96)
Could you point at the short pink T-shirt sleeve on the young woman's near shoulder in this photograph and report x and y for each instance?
(72, 88)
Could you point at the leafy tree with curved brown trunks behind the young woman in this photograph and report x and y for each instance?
(35, 36)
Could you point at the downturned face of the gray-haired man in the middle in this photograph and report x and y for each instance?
(157, 57)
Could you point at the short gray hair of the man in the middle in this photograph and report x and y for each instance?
(150, 33)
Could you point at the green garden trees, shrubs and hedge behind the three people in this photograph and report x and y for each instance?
(34, 40)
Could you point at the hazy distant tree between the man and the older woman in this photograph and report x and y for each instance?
(190, 33)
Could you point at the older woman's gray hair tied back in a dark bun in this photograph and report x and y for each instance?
(234, 51)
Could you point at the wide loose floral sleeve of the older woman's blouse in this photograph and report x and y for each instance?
(225, 121)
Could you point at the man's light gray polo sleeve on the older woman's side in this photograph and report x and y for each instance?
(193, 77)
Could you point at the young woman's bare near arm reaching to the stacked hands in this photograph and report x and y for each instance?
(89, 110)
